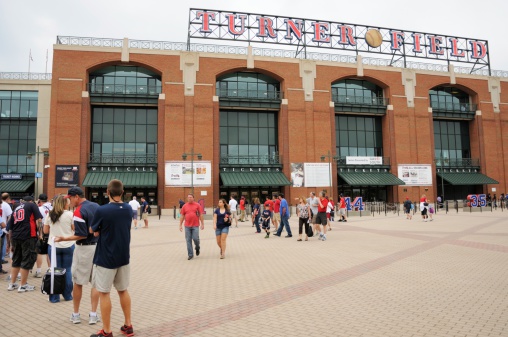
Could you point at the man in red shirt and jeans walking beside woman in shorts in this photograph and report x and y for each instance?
(192, 214)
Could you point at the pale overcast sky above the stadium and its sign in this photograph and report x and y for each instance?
(34, 24)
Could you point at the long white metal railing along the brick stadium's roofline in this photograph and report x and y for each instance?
(283, 53)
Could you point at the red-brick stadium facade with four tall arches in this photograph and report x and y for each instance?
(189, 103)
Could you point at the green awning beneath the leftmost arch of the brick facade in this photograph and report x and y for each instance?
(129, 179)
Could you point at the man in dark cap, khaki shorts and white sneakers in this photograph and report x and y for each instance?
(82, 260)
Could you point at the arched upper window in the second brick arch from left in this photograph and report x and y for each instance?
(248, 85)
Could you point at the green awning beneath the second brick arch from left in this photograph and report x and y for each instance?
(254, 179)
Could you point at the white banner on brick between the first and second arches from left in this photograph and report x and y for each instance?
(178, 173)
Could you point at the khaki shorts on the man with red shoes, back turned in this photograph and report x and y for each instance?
(104, 278)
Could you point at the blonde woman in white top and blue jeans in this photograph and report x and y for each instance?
(59, 223)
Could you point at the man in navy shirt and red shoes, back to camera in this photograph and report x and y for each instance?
(112, 225)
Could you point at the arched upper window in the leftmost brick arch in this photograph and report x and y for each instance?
(125, 80)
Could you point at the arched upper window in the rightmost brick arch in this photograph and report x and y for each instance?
(450, 99)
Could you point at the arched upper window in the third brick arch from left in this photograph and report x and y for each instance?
(357, 92)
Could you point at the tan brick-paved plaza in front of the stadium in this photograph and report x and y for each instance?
(374, 276)
